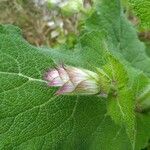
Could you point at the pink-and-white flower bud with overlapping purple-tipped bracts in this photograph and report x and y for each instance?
(73, 80)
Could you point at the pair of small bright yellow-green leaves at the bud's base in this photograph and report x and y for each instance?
(121, 100)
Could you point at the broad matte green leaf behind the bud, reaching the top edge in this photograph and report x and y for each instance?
(108, 28)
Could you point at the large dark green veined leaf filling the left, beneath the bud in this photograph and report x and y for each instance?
(31, 116)
